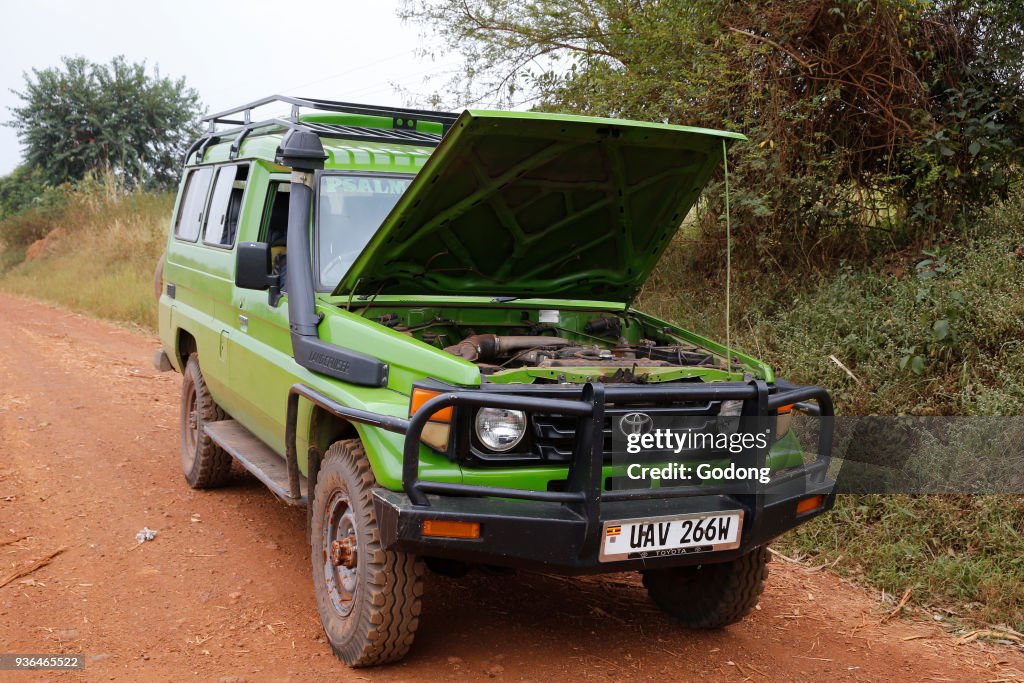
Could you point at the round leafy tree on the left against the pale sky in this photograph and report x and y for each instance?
(84, 117)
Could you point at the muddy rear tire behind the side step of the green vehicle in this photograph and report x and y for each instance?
(205, 464)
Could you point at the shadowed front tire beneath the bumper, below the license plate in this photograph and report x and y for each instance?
(710, 596)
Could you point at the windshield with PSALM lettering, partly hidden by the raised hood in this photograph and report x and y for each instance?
(352, 208)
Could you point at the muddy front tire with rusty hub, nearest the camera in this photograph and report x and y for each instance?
(369, 599)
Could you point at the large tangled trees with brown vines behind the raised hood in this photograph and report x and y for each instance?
(871, 121)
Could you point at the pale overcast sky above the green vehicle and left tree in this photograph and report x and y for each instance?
(231, 53)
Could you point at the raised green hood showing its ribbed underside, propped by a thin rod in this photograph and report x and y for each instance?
(540, 205)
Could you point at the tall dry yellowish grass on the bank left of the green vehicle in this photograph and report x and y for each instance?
(102, 260)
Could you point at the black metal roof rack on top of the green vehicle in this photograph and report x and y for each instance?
(403, 132)
